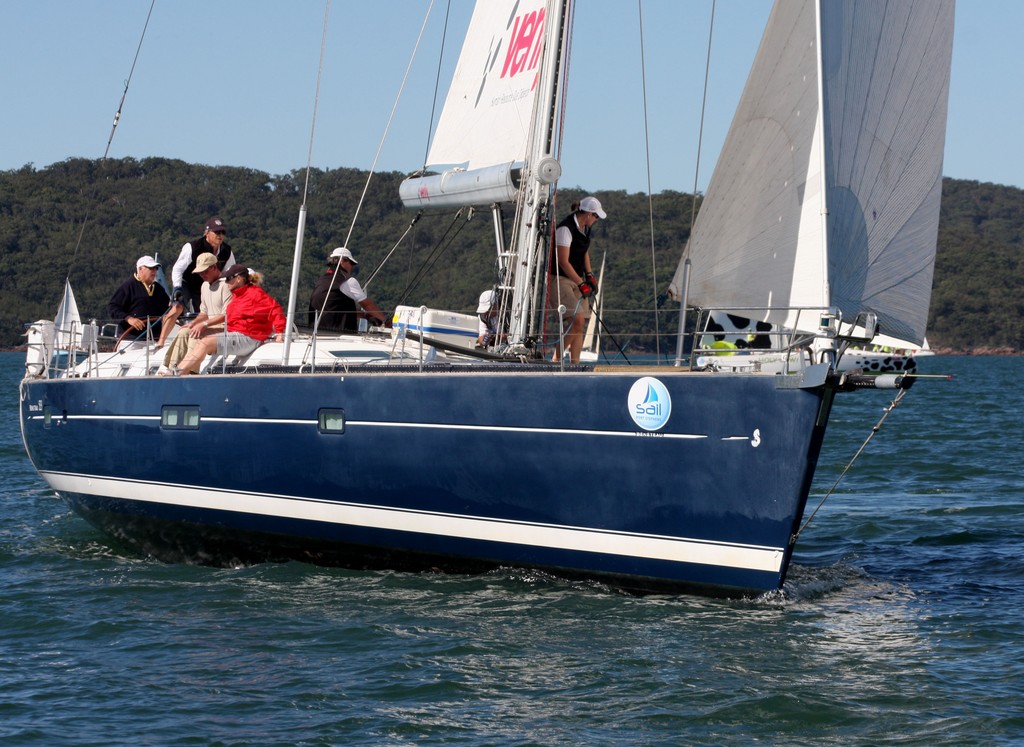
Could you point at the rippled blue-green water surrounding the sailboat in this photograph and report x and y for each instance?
(901, 625)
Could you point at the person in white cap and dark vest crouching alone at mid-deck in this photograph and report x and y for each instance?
(339, 300)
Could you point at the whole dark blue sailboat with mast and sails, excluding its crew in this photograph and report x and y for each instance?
(393, 449)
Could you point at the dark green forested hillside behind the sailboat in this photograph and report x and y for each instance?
(130, 209)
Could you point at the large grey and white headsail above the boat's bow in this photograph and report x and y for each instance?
(829, 196)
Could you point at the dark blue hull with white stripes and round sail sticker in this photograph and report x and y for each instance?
(650, 481)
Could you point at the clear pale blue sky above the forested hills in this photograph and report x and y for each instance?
(233, 82)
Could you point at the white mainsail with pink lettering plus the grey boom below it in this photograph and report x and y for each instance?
(482, 136)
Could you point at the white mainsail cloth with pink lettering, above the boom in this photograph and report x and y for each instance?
(486, 120)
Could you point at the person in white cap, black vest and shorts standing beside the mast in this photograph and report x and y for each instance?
(576, 283)
